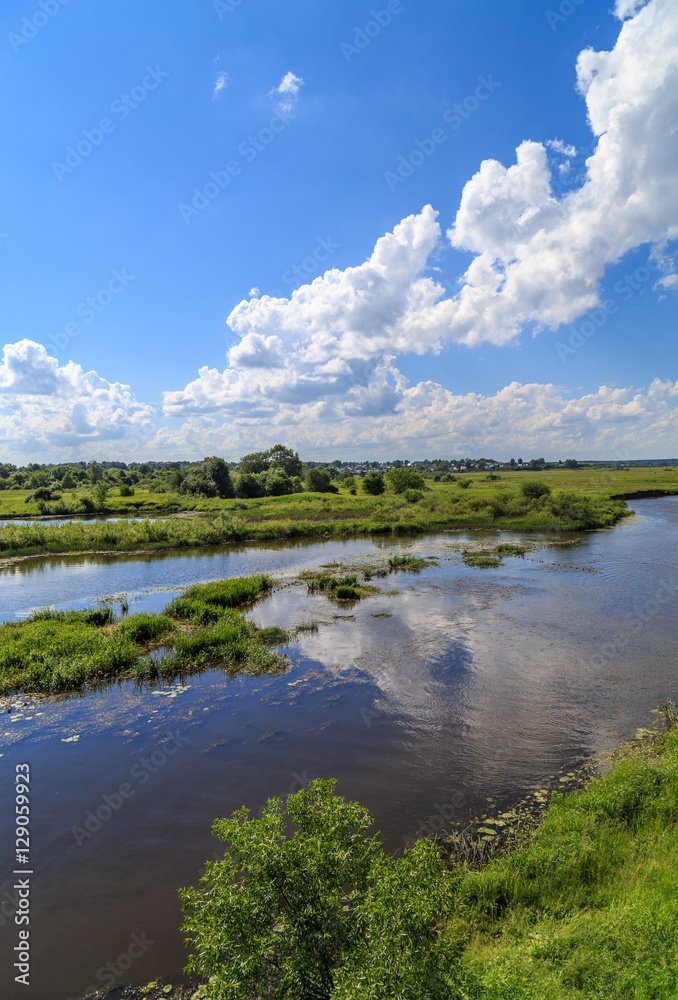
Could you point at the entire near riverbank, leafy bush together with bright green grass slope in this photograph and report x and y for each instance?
(584, 906)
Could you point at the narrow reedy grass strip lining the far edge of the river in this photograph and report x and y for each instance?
(486, 504)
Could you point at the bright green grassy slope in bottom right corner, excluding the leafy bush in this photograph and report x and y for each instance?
(588, 908)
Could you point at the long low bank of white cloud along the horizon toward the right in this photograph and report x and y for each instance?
(387, 417)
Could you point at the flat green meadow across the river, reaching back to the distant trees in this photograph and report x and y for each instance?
(579, 499)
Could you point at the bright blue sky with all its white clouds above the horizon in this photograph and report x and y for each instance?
(190, 167)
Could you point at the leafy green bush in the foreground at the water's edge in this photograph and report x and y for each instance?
(323, 913)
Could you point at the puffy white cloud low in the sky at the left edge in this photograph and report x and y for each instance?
(47, 408)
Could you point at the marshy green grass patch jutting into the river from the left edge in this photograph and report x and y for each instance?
(55, 651)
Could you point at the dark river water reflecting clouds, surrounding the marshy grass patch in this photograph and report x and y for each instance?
(482, 683)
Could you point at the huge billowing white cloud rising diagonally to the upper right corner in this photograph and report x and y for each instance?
(537, 258)
